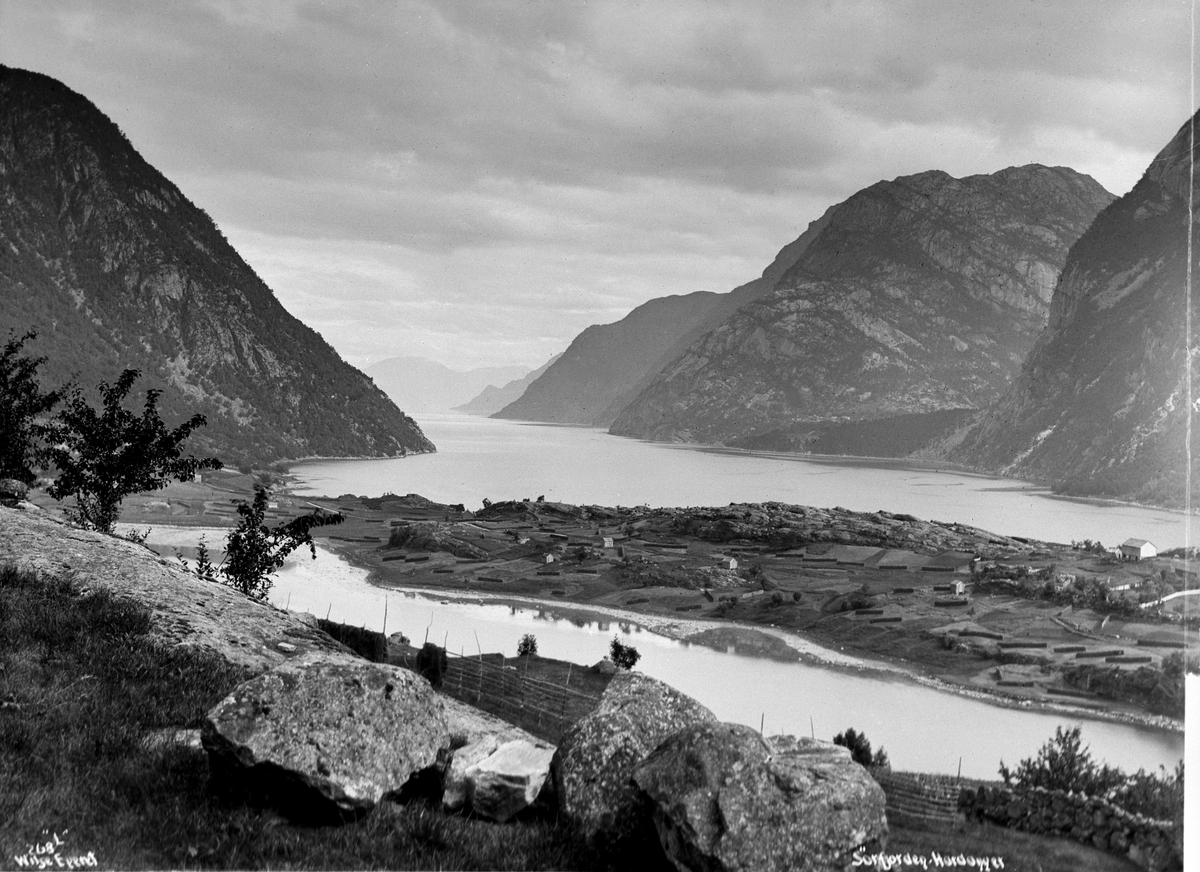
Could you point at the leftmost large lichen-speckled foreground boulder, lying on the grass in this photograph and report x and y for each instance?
(326, 736)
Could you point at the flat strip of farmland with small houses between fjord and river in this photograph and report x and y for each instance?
(1035, 623)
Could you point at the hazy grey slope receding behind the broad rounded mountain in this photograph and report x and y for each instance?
(608, 365)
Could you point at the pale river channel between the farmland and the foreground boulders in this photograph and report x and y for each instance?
(923, 730)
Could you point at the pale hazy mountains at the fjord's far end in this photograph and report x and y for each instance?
(425, 386)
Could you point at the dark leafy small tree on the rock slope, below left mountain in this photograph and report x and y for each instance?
(105, 456)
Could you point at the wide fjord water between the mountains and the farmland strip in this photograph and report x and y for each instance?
(482, 458)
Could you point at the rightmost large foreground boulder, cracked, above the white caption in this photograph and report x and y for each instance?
(727, 799)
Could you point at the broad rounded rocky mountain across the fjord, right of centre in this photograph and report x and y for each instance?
(917, 296)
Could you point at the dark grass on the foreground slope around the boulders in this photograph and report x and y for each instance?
(82, 687)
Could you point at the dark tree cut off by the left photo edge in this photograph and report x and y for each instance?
(22, 404)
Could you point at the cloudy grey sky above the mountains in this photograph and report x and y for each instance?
(476, 183)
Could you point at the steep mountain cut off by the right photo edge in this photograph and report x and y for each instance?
(1101, 405)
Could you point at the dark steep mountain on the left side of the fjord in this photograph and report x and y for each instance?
(115, 268)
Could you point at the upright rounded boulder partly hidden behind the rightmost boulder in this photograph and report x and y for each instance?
(598, 755)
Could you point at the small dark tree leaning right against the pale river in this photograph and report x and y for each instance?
(254, 551)
